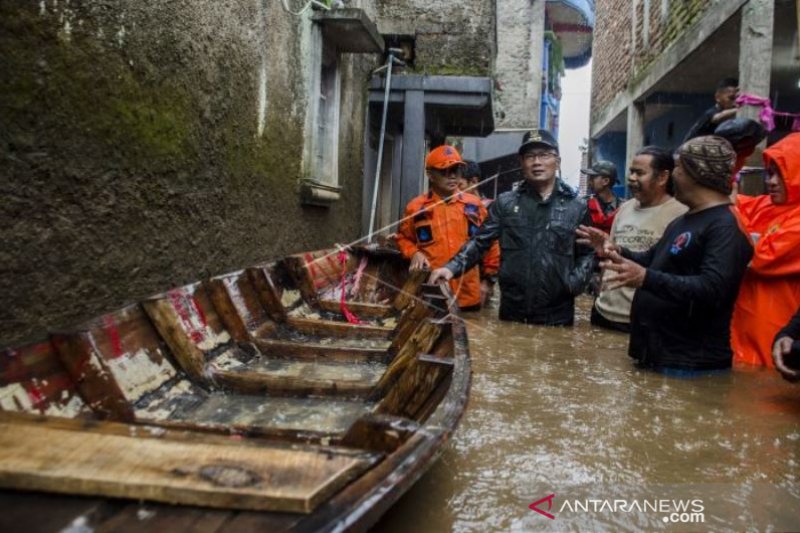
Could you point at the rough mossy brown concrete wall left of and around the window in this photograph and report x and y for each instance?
(144, 145)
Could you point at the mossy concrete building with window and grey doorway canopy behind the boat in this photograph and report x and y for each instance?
(145, 145)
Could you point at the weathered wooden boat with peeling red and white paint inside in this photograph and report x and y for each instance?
(250, 392)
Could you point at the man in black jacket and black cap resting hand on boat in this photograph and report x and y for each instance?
(542, 267)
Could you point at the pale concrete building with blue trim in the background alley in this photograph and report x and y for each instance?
(556, 35)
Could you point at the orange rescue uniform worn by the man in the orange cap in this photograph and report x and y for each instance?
(438, 229)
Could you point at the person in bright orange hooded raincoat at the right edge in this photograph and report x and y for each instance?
(770, 292)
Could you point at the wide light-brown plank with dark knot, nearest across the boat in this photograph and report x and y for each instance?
(267, 478)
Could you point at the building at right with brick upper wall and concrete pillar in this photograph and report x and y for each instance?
(657, 62)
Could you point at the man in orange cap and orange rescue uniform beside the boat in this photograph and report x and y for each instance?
(436, 224)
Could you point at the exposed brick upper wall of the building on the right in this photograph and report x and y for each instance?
(622, 55)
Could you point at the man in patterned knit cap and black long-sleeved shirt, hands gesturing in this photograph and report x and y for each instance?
(687, 283)
